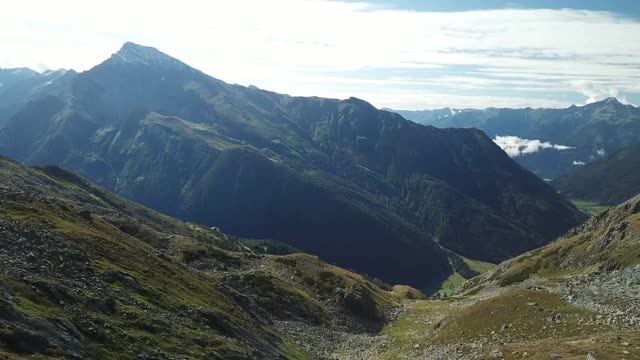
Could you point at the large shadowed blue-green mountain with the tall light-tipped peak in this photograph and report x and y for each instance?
(357, 186)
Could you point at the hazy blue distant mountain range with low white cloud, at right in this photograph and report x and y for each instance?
(552, 142)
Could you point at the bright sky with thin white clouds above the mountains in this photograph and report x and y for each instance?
(402, 54)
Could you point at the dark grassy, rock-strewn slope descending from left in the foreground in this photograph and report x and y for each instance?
(85, 274)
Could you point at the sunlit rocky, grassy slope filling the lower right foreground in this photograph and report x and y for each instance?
(576, 298)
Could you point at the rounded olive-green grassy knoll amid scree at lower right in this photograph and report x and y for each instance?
(525, 328)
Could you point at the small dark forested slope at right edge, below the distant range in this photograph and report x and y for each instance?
(608, 181)
